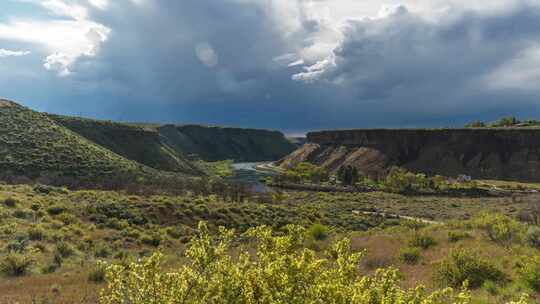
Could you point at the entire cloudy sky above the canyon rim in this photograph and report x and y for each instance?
(292, 65)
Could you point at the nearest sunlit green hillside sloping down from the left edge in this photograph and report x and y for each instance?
(32, 145)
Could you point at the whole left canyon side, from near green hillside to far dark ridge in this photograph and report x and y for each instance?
(75, 151)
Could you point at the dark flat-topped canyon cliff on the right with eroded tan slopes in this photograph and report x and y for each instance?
(512, 154)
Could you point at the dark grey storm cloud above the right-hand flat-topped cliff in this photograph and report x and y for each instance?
(412, 68)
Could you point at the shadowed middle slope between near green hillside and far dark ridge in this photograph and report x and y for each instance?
(138, 143)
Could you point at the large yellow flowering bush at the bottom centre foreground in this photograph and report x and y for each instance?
(279, 271)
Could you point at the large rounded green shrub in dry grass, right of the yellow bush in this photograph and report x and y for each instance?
(462, 265)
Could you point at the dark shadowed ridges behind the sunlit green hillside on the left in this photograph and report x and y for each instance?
(174, 147)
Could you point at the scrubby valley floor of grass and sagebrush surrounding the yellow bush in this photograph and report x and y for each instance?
(64, 233)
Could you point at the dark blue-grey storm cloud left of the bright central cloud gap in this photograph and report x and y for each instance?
(156, 58)
